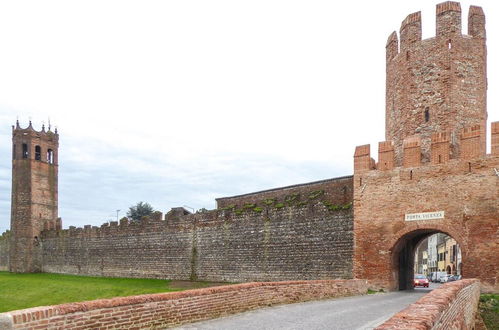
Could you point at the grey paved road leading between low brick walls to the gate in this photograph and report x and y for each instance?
(359, 312)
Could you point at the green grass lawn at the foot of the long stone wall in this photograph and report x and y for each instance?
(19, 291)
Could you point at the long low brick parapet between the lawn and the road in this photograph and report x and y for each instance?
(175, 308)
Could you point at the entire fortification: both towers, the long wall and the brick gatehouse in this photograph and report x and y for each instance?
(431, 161)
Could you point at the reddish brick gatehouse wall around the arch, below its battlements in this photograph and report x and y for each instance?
(466, 190)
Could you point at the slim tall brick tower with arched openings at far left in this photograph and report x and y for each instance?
(34, 194)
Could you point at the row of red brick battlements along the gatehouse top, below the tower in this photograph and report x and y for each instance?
(440, 150)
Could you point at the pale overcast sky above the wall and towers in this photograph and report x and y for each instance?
(180, 102)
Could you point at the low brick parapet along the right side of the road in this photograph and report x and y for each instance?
(452, 306)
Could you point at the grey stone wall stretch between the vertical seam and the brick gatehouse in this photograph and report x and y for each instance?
(306, 242)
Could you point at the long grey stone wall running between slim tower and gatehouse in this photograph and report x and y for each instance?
(299, 236)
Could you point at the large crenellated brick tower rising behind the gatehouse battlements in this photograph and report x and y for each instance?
(438, 84)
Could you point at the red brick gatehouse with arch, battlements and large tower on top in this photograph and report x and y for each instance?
(433, 173)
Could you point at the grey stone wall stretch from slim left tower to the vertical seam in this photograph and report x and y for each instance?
(154, 249)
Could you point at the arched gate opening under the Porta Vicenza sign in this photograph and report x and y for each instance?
(429, 252)
